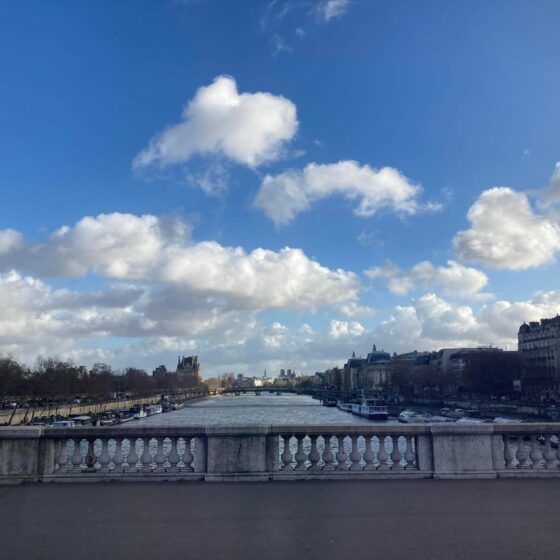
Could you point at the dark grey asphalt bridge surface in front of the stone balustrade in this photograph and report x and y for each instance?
(397, 519)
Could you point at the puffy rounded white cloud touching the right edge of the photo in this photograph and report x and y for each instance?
(507, 233)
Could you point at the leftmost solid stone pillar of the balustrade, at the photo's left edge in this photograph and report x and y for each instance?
(19, 453)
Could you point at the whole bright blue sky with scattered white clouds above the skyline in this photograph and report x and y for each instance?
(184, 145)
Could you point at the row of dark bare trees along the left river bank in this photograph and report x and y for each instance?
(62, 380)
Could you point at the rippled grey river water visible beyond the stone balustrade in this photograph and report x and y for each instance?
(248, 410)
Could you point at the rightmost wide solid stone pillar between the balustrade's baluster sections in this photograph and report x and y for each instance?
(463, 451)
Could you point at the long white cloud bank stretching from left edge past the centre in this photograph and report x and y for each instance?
(160, 251)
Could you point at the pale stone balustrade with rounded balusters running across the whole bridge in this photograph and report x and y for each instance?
(279, 452)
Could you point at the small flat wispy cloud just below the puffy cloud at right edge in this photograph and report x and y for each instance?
(454, 279)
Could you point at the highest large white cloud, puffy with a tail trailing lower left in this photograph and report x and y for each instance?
(247, 128)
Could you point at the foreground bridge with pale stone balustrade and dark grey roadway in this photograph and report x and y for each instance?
(356, 492)
